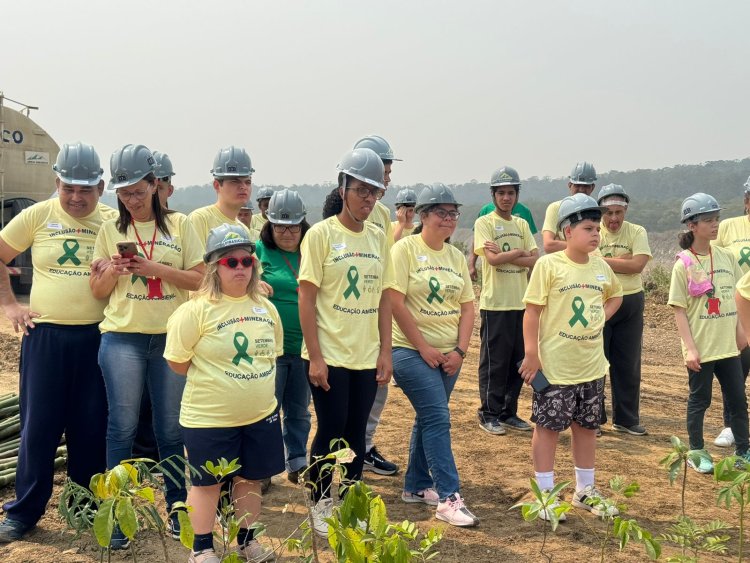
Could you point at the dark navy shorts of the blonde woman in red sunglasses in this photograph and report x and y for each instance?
(258, 446)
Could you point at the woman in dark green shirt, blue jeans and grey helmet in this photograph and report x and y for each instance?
(279, 252)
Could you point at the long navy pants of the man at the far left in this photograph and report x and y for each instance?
(61, 390)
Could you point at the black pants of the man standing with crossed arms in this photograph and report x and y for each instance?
(500, 351)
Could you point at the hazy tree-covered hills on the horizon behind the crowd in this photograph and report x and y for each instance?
(655, 195)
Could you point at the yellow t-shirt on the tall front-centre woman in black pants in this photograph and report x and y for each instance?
(351, 270)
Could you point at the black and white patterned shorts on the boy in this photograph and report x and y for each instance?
(560, 405)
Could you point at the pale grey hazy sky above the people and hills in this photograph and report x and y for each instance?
(458, 88)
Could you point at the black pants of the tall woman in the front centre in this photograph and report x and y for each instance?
(341, 412)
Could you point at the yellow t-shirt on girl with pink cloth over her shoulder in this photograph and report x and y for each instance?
(714, 334)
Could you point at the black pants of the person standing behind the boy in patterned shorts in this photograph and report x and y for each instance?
(623, 340)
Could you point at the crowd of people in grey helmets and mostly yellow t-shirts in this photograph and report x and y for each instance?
(219, 328)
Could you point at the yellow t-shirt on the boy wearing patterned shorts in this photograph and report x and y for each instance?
(571, 347)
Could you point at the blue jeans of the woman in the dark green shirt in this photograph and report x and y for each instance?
(293, 395)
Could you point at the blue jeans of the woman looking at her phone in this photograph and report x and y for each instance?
(131, 362)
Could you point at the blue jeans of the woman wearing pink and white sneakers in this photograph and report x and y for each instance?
(431, 461)
